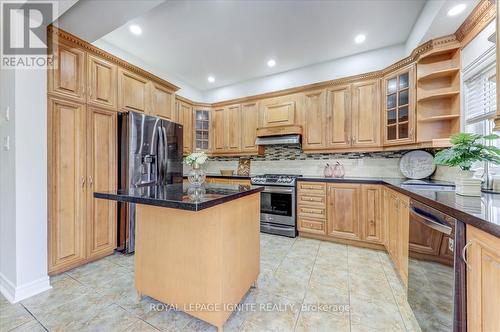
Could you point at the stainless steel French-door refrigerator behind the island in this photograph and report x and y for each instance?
(150, 154)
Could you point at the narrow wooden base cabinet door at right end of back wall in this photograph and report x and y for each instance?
(372, 221)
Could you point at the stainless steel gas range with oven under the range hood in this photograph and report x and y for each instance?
(277, 204)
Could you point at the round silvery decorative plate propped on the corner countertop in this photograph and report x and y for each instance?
(417, 164)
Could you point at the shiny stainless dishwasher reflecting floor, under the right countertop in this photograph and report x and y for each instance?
(436, 274)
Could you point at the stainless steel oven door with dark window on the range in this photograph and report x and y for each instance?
(277, 205)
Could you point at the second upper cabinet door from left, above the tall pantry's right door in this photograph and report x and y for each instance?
(102, 86)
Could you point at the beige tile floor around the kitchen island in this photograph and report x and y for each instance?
(304, 285)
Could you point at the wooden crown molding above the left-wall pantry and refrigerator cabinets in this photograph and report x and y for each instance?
(56, 35)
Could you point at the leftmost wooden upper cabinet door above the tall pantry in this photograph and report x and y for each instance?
(67, 78)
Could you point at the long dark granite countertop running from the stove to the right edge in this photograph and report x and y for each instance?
(481, 212)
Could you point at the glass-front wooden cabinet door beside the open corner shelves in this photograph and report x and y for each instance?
(398, 100)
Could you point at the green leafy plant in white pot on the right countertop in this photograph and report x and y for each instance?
(467, 149)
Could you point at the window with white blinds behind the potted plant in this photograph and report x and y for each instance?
(480, 102)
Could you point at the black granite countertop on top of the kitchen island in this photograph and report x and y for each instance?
(179, 196)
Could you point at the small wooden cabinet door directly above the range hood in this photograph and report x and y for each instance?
(278, 111)
